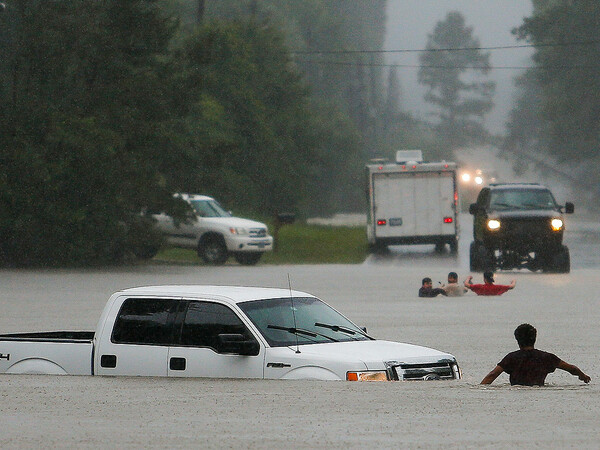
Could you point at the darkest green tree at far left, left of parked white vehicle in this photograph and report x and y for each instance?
(85, 129)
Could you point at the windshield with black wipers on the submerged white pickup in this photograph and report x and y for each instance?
(275, 320)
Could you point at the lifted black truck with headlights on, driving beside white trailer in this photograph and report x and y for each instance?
(518, 226)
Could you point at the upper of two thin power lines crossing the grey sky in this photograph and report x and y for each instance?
(449, 49)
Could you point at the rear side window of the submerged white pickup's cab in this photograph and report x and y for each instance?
(145, 321)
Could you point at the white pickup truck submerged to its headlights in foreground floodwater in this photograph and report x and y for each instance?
(222, 332)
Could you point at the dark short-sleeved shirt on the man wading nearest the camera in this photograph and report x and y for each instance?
(529, 367)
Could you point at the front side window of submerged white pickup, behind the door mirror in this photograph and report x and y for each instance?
(205, 321)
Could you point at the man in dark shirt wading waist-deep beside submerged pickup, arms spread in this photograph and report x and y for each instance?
(529, 366)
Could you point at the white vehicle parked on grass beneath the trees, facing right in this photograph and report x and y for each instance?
(215, 233)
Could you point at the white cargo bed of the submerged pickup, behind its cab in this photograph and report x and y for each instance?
(52, 352)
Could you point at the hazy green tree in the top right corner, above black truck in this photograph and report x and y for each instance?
(564, 33)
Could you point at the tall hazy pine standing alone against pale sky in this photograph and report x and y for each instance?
(461, 101)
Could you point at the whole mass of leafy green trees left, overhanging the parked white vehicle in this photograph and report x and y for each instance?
(107, 108)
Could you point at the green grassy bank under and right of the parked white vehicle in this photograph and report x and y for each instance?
(298, 244)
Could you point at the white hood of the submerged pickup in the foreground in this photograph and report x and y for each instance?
(373, 353)
